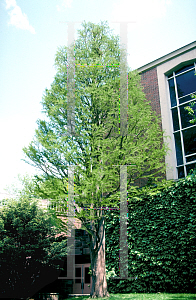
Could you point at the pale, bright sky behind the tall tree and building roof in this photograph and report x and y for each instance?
(32, 31)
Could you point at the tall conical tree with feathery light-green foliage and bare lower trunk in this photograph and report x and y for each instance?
(85, 134)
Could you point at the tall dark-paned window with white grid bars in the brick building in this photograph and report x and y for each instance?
(182, 84)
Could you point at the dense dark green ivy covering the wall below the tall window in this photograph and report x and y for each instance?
(161, 241)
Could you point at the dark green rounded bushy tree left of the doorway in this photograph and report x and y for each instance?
(28, 247)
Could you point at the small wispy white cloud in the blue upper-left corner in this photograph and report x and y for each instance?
(17, 17)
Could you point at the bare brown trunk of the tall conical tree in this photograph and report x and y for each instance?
(97, 254)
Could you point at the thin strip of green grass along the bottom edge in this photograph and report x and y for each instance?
(157, 296)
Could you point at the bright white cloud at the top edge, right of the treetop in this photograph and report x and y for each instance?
(139, 11)
